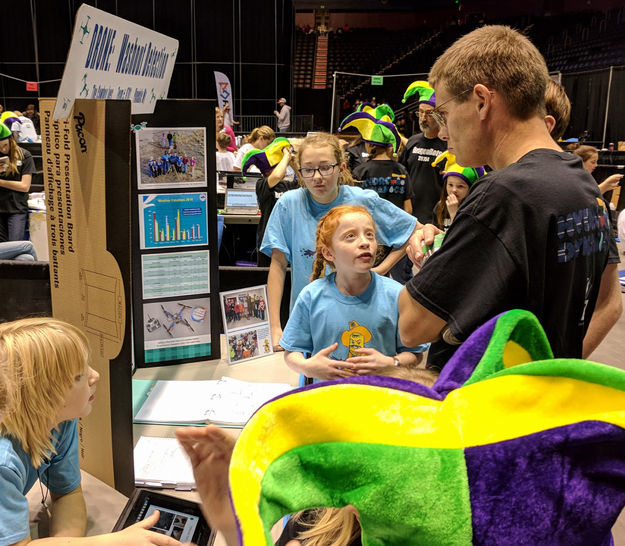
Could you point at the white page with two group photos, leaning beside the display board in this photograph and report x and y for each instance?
(246, 323)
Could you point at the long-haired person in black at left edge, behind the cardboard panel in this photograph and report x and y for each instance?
(16, 170)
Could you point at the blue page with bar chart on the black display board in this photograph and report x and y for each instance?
(172, 220)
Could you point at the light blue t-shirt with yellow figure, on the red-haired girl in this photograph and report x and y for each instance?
(324, 315)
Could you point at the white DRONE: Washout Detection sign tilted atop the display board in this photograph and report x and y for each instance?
(111, 58)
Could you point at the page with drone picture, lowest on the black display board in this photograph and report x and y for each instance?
(176, 329)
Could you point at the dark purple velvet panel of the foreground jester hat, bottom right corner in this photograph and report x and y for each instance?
(567, 482)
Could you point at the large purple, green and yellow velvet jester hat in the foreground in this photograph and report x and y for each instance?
(510, 446)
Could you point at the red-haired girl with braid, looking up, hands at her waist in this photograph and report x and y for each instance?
(348, 319)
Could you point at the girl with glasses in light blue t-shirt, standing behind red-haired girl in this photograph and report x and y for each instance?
(290, 233)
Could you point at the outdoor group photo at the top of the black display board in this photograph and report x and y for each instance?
(171, 157)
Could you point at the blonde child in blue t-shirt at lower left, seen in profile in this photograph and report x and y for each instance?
(46, 384)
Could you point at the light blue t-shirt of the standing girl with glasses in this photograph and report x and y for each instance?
(293, 223)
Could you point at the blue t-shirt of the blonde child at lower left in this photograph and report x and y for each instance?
(60, 473)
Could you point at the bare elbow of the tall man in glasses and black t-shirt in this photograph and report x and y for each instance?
(417, 325)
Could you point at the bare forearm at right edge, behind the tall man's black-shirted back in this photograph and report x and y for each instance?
(608, 309)
